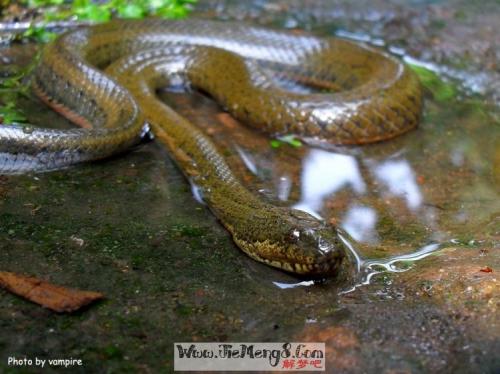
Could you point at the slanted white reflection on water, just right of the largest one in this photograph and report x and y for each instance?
(400, 180)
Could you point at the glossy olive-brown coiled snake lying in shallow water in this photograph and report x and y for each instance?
(104, 78)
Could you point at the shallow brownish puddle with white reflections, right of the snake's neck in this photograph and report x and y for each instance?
(392, 198)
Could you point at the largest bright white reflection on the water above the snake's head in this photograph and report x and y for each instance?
(325, 173)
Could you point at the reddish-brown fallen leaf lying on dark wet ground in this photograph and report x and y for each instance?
(57, 298)
